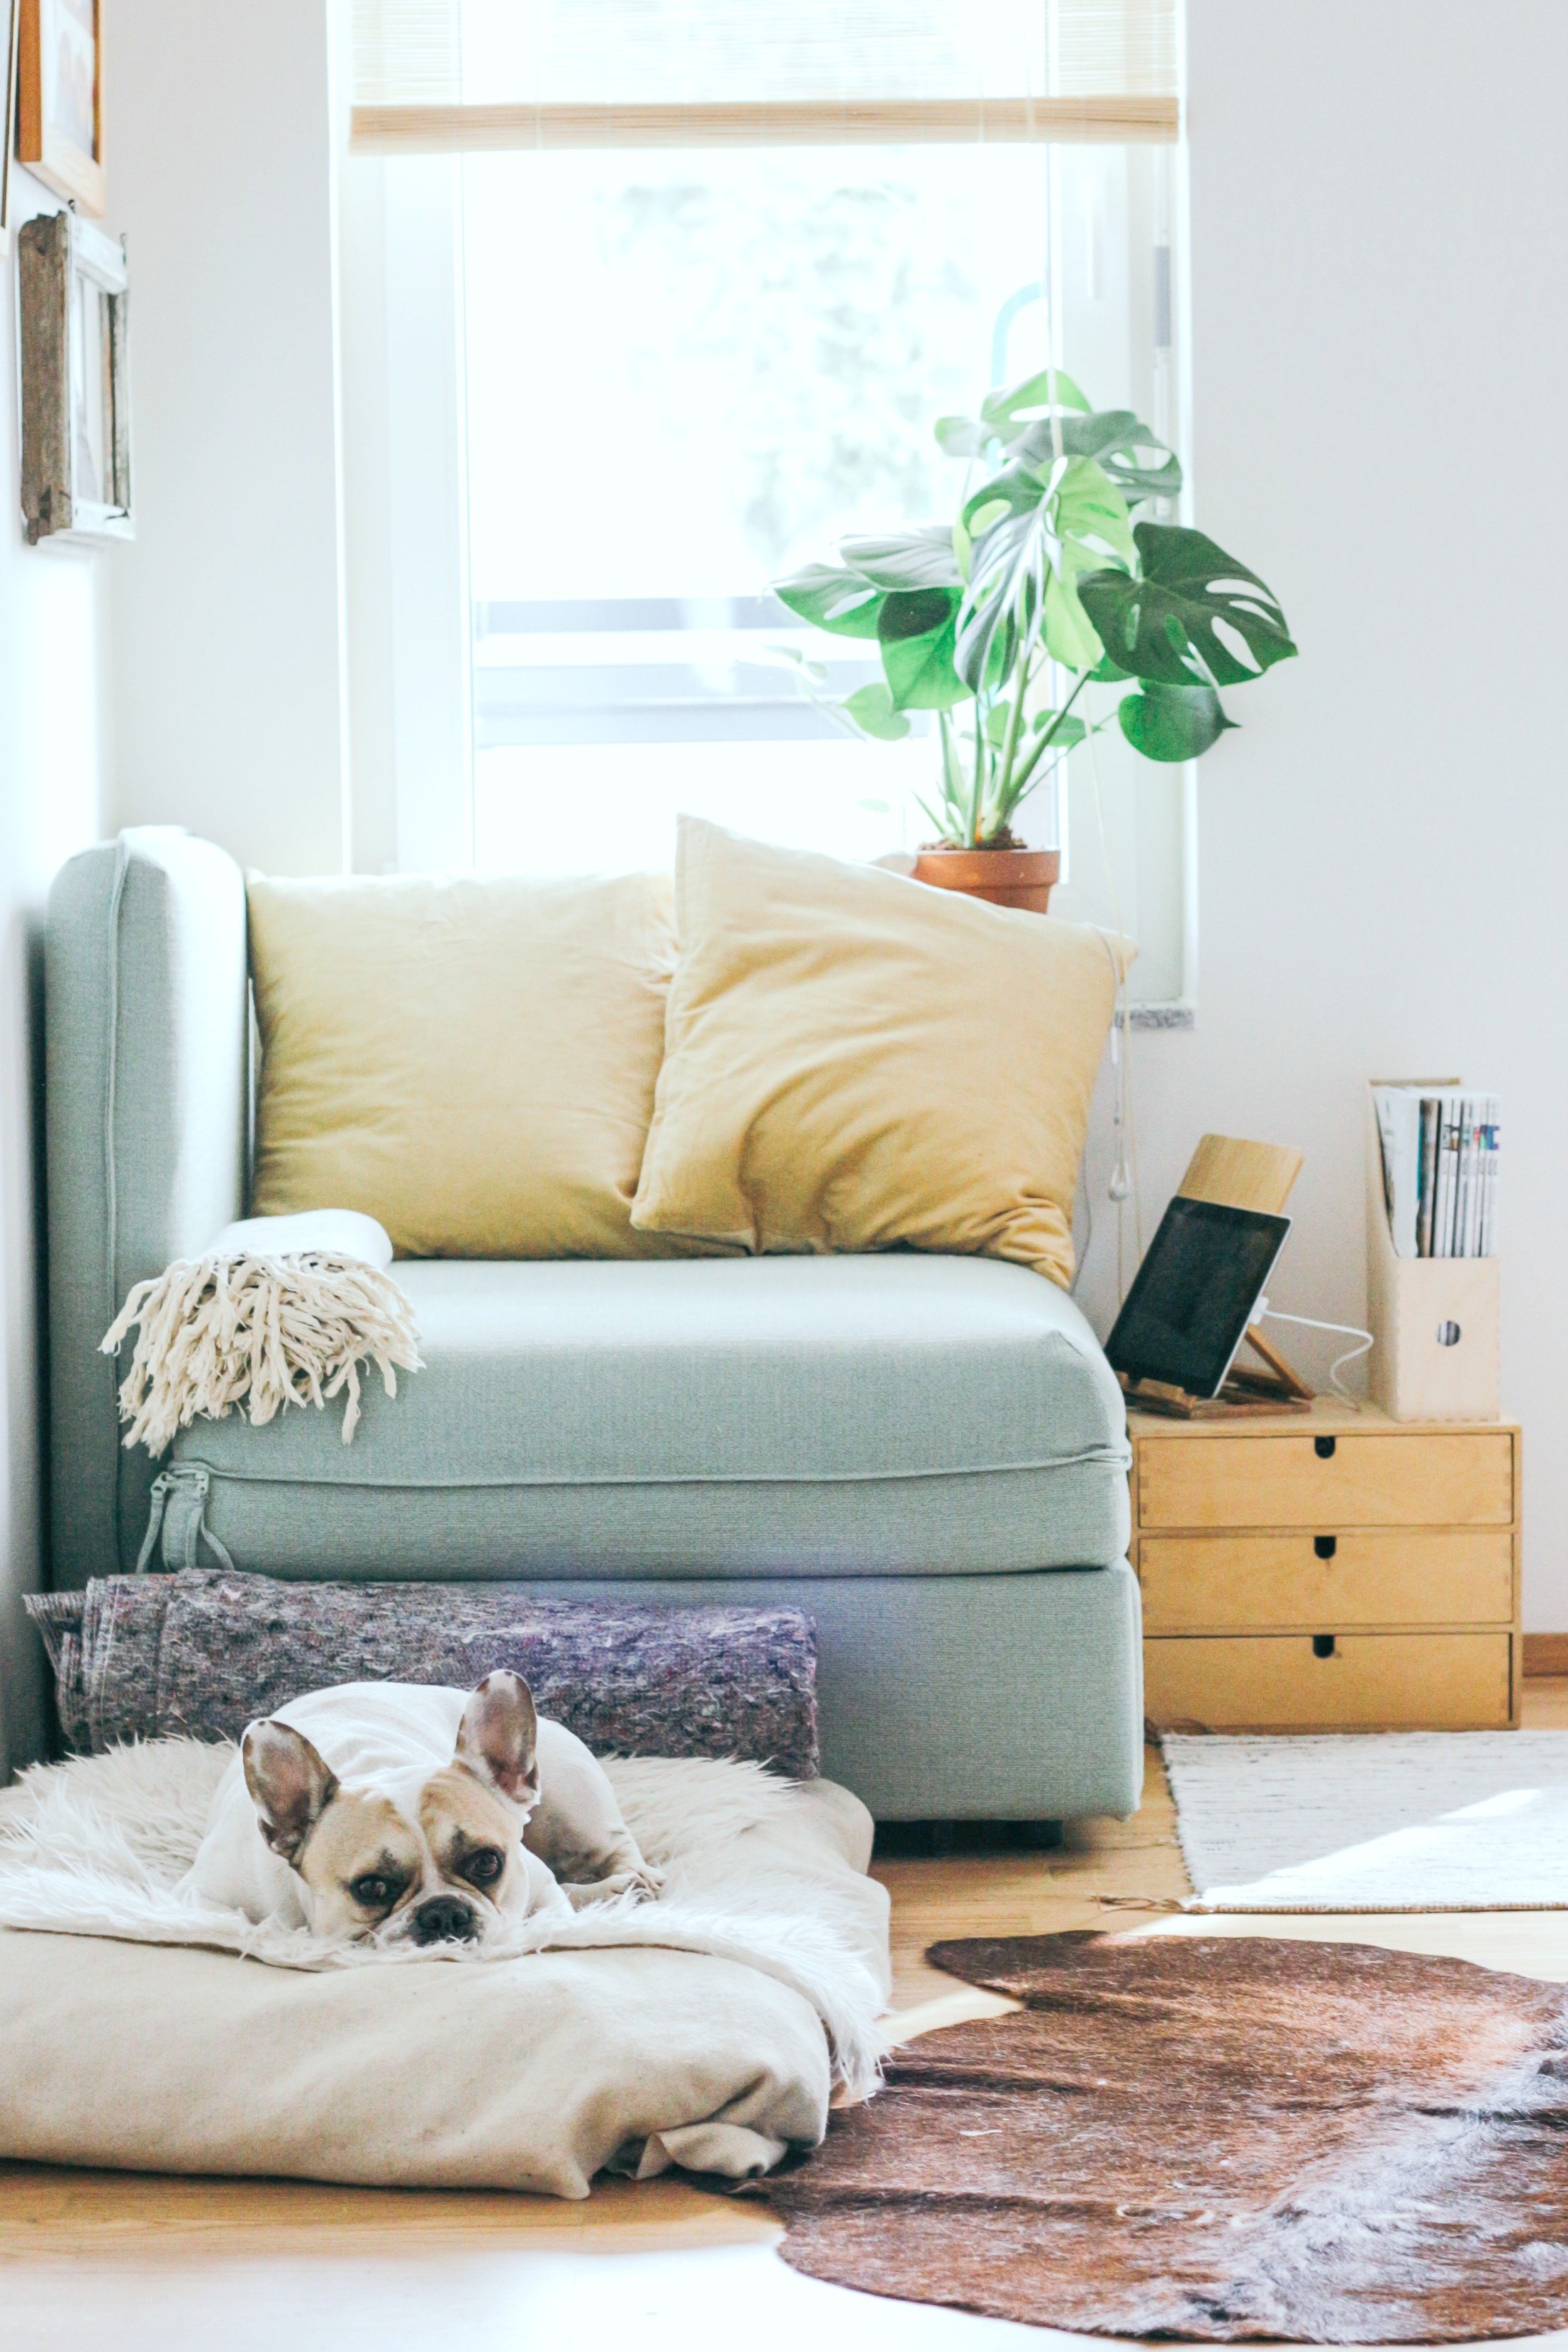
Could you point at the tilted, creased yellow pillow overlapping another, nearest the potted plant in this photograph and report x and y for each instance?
(857, 1062)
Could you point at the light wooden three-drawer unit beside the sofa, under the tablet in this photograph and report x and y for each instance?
(1329, 1572)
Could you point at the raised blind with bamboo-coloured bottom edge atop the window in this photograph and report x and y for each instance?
(617, 74)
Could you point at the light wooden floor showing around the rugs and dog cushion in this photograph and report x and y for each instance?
(123, 2264)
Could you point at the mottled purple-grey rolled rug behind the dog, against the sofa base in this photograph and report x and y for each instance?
(203, 1652)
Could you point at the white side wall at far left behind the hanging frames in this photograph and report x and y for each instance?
(53, 608)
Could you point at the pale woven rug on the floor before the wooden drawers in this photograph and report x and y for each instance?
(1374, 1822)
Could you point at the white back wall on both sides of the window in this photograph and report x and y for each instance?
(1379, 373)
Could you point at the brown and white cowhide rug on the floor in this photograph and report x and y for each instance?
(1212, 2139)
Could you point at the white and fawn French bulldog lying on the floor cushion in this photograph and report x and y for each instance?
(408, 1815)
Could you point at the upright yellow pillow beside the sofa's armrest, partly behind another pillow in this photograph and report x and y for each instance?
(469, 1062)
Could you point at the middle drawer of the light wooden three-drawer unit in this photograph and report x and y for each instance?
(1282, 1584)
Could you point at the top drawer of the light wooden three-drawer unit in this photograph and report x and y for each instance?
(1362, 1478)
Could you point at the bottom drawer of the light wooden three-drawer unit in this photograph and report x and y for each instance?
(1372, 1683)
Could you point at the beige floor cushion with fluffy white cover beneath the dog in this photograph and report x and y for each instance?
(699, 2031)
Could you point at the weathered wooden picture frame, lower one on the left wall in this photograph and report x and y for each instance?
(76, 382)
